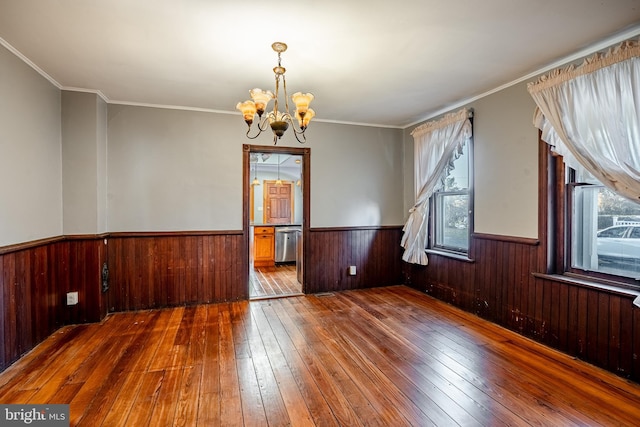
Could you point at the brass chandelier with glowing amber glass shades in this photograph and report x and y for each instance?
(277, 120)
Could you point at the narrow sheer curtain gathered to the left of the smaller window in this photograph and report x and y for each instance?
(436, 145)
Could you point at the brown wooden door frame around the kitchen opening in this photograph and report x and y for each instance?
(305, 154)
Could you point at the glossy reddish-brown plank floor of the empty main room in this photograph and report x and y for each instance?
(383, 356)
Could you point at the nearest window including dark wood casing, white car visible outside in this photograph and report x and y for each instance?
(593, 232)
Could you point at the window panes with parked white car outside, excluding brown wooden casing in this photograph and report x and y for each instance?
(604, 228)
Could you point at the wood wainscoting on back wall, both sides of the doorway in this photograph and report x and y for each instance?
(154, 270)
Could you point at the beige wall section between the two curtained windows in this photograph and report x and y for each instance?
(506, 159)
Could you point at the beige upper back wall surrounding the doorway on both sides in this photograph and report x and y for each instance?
(182, 170)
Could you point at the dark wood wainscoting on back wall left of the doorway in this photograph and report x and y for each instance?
(154, 270)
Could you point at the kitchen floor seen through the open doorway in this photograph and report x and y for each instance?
(270, 282)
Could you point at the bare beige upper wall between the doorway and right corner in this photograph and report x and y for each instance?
(356, 176)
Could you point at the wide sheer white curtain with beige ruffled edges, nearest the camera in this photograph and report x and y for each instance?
(590, 114)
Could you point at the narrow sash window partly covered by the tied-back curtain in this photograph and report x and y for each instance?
(450, 207)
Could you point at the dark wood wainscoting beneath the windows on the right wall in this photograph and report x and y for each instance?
(599, 326)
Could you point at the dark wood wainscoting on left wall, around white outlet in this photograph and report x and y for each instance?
(34, 281)
